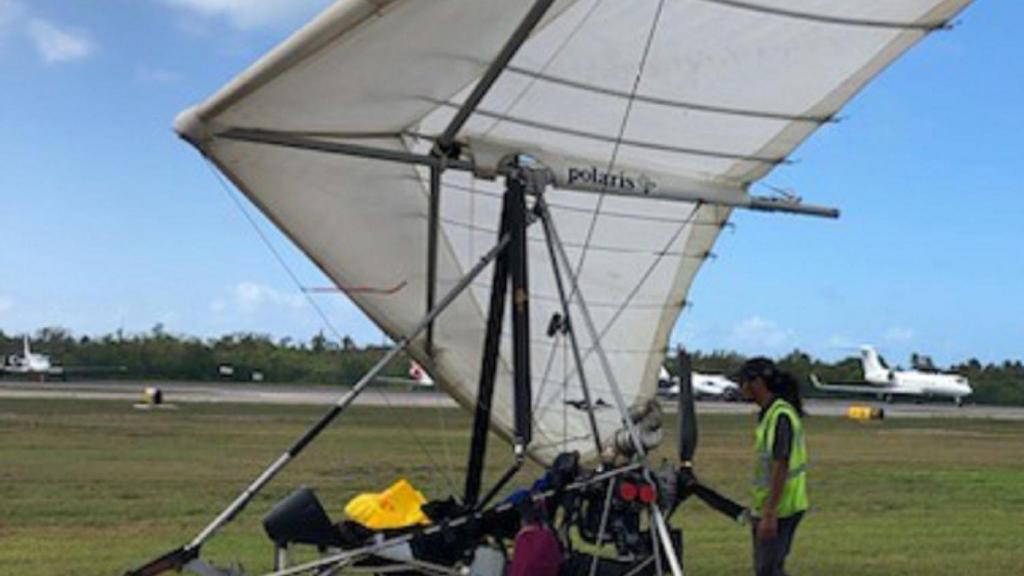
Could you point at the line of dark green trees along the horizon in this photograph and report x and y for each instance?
(159, 355)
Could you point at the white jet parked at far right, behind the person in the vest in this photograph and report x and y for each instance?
(887, 384)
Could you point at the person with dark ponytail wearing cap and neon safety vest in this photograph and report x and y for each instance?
(781, 463)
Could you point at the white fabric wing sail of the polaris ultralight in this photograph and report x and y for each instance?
(711, 93)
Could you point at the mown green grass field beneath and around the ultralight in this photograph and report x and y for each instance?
(94, 488)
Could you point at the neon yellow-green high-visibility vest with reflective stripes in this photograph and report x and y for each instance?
(794, 498)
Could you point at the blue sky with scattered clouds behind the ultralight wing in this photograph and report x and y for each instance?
(110, 222)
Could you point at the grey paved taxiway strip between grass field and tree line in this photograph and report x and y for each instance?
(184, 393)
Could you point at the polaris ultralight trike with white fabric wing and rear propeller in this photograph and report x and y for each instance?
(587, 155)
